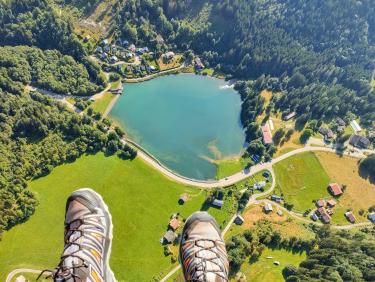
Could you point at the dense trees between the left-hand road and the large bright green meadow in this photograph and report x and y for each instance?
(37, 134)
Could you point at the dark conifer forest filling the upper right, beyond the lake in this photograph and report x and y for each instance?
(322, 70)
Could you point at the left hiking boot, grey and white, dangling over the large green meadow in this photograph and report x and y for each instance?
(88, 238)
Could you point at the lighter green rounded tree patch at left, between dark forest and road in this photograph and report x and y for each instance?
(48, 70)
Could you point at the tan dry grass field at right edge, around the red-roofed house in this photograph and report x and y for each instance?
(359, 194)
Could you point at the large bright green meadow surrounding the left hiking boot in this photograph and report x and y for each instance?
(140, 200)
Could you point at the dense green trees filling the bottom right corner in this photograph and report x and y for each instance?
(340, 256)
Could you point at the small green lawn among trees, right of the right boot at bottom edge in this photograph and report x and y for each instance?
(265, 270)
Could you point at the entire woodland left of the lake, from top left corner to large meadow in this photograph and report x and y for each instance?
(38, 133)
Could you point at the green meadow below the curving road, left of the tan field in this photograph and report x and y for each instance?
(301, 179)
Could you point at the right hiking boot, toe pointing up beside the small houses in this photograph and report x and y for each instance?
(202, 250)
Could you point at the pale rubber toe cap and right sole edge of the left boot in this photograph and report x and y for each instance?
(96, 199)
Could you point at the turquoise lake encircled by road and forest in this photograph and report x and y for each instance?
(184, 120)
